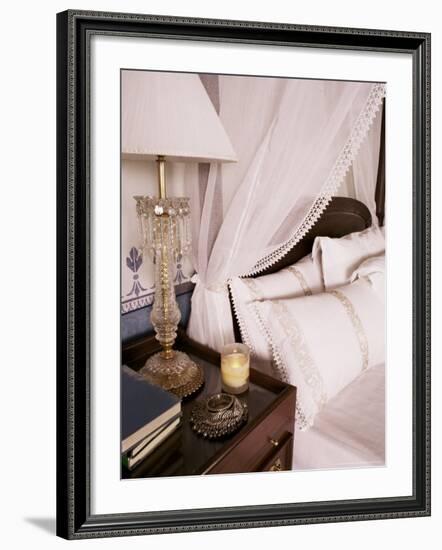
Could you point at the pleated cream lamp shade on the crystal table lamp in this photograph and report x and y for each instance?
(170, 114)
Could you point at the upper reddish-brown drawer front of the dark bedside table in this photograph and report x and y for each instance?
(265, 439)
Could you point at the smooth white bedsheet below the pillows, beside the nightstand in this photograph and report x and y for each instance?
(350, 430)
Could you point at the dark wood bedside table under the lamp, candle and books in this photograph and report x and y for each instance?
(264, 443)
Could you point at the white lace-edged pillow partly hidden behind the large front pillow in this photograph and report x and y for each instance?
(301, 279)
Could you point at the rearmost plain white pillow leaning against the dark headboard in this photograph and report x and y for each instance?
(340, 257)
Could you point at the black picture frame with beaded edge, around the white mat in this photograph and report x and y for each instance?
(74, 518)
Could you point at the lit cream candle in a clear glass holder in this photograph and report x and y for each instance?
(235, 368)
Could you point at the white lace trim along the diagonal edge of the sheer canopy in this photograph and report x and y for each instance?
(334, 180)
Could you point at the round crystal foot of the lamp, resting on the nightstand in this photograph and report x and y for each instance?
(177, 374)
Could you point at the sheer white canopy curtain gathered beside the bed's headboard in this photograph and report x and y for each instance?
(295, 141)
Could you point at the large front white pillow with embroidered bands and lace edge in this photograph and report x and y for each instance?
(323, 342)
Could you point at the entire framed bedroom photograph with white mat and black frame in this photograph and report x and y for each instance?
(243, 274)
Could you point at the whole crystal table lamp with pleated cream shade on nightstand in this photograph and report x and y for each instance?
(168, 117)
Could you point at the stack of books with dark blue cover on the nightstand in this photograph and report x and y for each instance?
(149, 415)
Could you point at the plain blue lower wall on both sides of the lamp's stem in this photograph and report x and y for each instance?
(136, 324)
